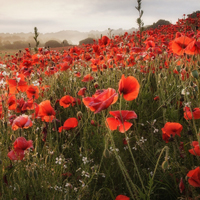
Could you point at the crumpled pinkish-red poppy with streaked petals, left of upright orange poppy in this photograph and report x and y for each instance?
(101, 100)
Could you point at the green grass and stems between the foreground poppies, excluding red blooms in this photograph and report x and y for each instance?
(99, 164)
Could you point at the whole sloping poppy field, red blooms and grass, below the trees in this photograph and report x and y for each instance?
(117, 119)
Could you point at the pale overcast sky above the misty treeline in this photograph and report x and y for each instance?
(85, 15)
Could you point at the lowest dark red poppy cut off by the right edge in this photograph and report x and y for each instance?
(194, 177)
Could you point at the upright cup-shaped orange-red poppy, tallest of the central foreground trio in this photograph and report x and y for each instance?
(129, 87)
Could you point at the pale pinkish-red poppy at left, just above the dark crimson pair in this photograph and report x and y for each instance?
(22, 121)
